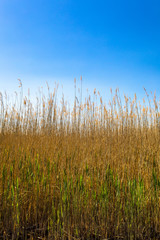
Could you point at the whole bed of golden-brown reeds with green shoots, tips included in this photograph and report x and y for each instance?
(91, 172)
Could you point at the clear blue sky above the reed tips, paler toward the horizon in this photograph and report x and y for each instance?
(111, 43)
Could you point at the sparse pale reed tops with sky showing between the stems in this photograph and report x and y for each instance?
(47, 114)
